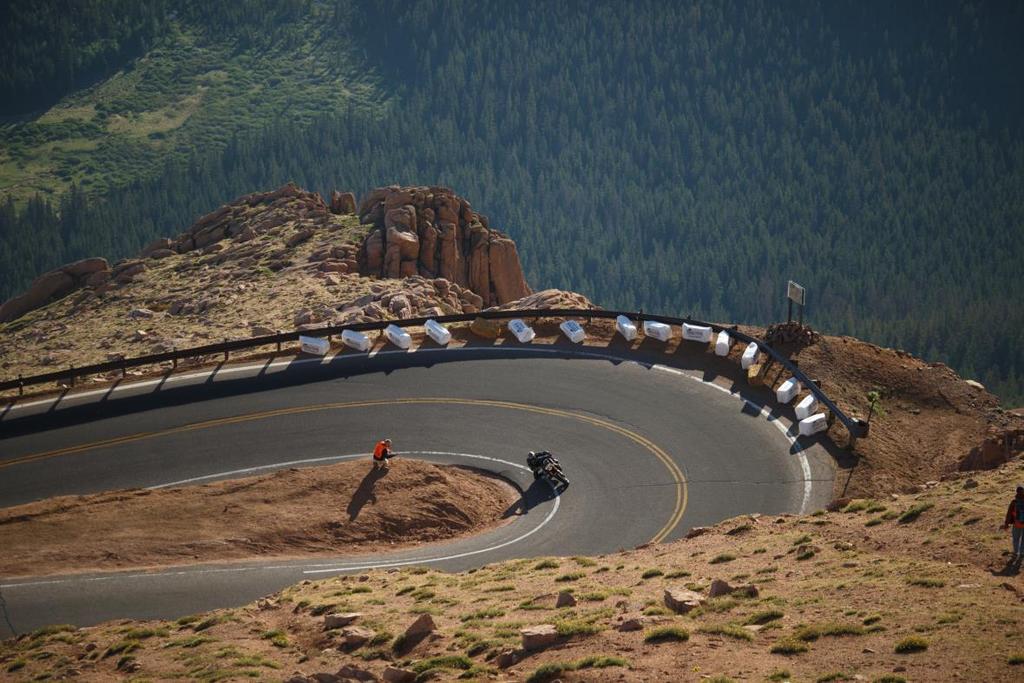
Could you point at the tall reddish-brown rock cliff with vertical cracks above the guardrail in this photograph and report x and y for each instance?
(434, 233)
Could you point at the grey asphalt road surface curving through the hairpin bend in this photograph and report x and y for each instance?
(651, 451)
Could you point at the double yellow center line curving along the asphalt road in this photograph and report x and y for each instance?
(658, 452)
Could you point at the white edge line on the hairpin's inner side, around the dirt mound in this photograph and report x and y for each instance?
(334, 568)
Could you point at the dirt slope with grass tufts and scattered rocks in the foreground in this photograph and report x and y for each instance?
(914, 588)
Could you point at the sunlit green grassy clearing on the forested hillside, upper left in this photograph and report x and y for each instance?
(203, 82)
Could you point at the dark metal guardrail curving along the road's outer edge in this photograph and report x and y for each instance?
(858, 429)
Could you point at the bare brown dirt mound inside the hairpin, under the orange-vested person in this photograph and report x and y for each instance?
(339, 509)
